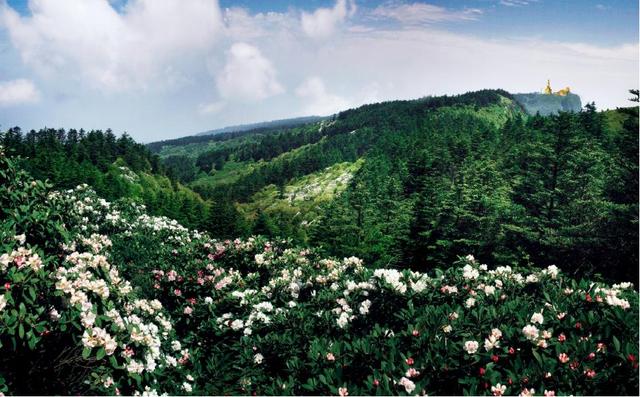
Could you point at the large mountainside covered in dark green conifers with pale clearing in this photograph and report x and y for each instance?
(416, 183)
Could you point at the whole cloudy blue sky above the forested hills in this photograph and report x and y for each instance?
(164, 68)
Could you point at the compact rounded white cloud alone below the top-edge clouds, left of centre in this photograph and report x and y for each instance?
(247, 75)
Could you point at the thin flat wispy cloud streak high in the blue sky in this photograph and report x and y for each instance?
(420, 13)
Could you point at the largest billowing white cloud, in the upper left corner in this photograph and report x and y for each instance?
(92, 42)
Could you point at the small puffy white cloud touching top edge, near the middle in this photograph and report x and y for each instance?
(323, 22)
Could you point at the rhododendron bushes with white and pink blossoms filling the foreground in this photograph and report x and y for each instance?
(99, 298)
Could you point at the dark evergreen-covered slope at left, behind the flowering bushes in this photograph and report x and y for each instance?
(116, 167)
